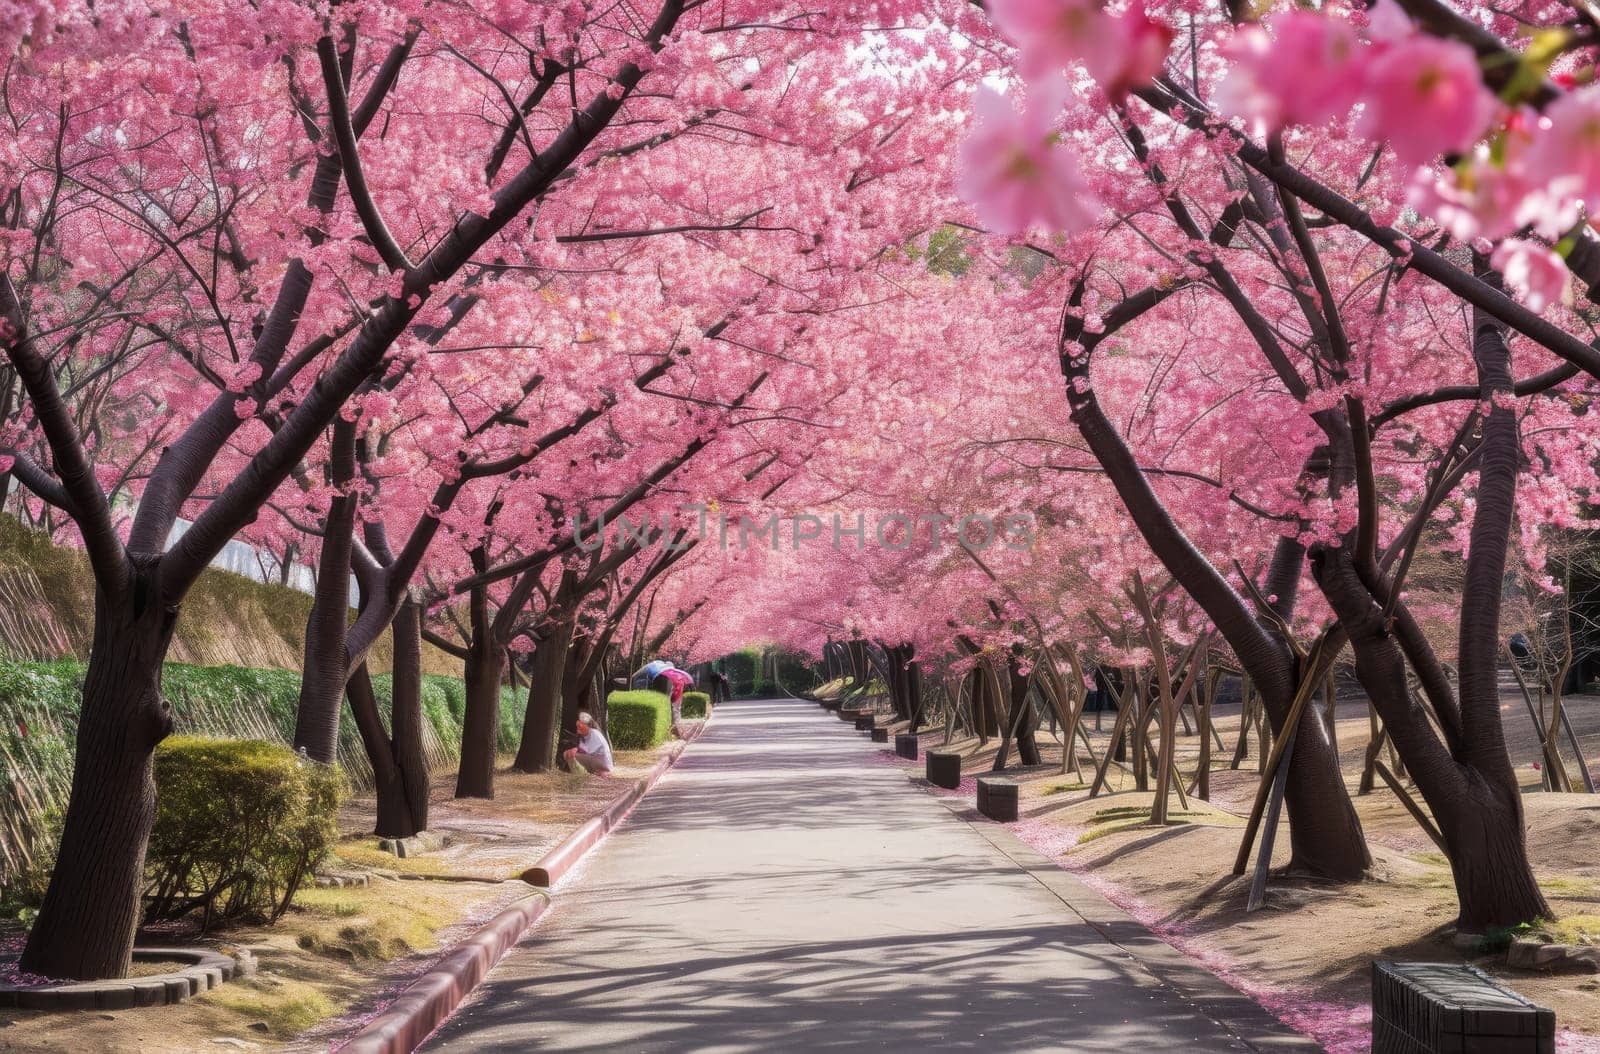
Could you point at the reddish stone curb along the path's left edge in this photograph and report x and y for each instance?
(430, 1000)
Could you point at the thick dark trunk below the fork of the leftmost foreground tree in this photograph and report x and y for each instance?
(92, 909)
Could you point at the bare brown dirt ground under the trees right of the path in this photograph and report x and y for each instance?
(1306, 954)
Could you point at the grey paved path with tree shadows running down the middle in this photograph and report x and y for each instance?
(786, 890)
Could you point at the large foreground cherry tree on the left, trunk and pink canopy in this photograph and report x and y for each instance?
(290, 204)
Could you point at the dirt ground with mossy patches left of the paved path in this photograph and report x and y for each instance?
(342, 954)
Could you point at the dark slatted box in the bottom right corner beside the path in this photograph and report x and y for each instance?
(1444, 1008)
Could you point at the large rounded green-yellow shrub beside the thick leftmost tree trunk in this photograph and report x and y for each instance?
(239, 826)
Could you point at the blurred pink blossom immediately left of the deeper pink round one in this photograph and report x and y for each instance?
(1305, 71)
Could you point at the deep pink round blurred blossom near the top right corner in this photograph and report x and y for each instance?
(1426, 97)
